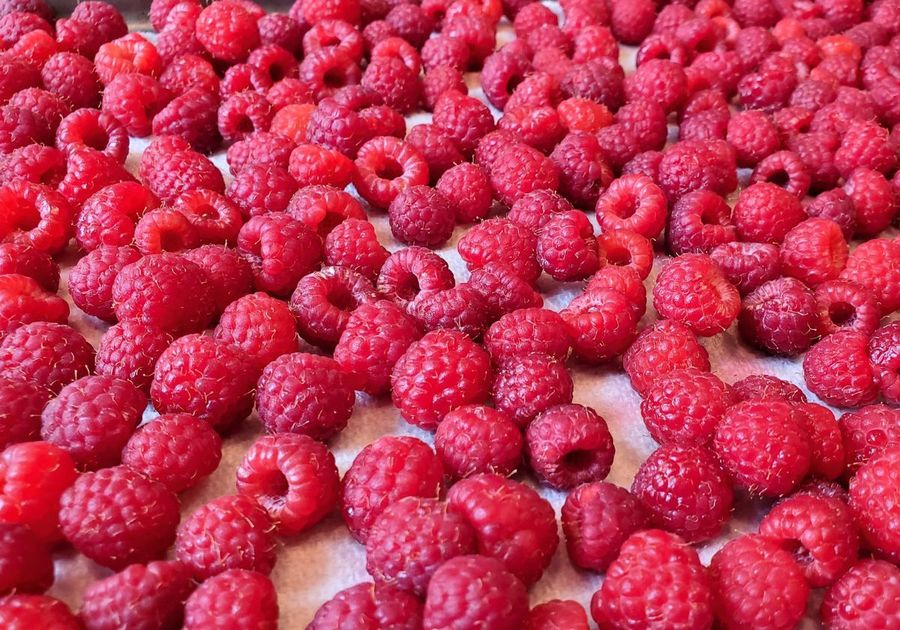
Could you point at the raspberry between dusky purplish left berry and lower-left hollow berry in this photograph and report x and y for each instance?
(177, 449)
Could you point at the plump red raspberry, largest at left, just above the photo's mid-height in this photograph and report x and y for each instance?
(165, 290)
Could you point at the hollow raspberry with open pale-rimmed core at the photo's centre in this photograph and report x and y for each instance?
(412, 270)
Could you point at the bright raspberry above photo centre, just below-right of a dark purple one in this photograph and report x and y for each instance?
(501, 240)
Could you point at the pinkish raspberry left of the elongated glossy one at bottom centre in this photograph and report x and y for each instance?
(411, 539)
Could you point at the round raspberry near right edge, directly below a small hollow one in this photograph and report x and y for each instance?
(838, 371)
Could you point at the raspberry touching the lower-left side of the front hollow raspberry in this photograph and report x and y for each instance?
(230, 532)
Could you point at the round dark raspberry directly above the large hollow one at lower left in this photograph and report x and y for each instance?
(306, 394)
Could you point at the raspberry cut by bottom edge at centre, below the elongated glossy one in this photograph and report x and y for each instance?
(472, 591)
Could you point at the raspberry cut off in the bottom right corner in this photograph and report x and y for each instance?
(862, 597)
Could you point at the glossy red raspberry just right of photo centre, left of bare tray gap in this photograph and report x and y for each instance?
(602, 324)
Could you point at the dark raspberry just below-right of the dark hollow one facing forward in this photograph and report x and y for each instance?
(597, 518)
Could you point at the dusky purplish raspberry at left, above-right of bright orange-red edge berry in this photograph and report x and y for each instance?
(92, 418)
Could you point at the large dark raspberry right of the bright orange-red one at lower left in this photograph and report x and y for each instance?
(117, 517)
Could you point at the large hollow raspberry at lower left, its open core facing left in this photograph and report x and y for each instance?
(292, 477)
